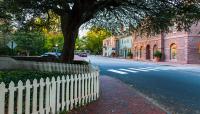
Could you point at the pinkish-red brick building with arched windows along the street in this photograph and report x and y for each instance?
(180, 47)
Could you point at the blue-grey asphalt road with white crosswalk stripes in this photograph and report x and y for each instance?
(175, 88)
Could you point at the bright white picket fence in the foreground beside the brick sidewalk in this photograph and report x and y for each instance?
(49, 96)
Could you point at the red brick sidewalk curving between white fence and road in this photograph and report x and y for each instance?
(118, 98)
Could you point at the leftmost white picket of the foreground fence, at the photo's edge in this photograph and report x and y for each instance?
(2, 98)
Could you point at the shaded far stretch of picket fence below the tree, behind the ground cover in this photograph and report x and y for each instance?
(57, 67)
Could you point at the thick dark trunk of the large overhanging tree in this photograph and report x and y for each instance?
(70, 30)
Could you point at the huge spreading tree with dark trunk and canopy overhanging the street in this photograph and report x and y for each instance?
(151, 16)
